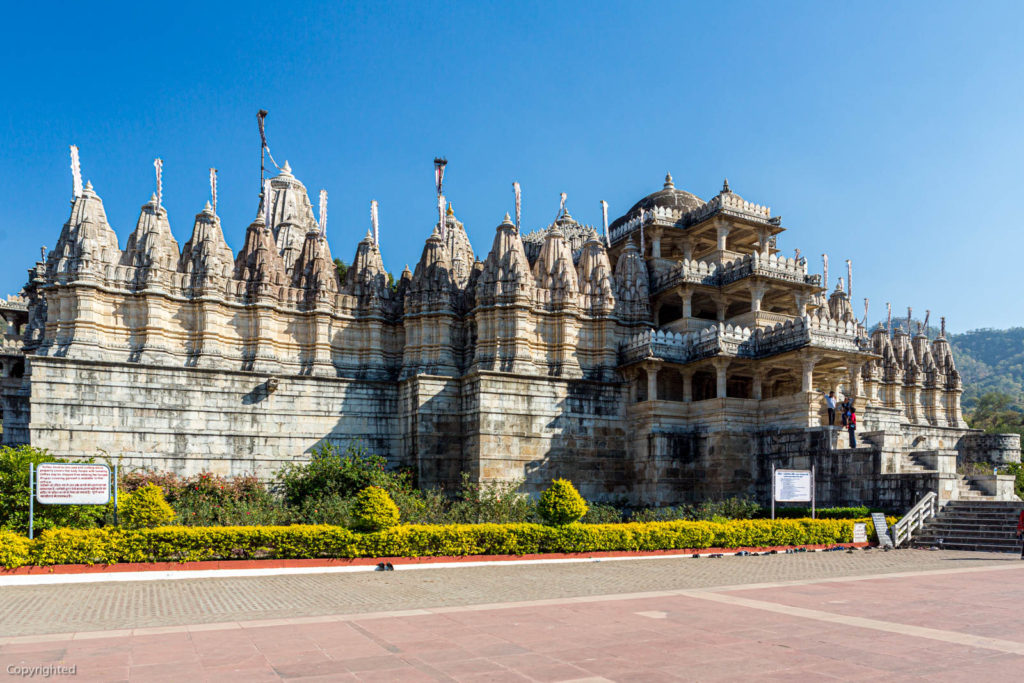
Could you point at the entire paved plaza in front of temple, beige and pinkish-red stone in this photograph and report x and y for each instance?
(863, 616)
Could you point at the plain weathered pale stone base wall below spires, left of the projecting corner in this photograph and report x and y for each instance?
(191, 420)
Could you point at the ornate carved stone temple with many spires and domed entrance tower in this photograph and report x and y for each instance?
(676, 355)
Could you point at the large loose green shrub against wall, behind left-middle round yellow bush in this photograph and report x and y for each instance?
(335, 473)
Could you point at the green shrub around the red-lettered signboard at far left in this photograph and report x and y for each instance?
(15, 495)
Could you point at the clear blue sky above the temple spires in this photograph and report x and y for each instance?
(887, 134)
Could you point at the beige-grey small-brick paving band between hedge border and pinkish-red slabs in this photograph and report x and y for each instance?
(76, 608)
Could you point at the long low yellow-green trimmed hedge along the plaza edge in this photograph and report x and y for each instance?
(185, 544)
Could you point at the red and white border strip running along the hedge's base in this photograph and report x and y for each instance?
(398, 562)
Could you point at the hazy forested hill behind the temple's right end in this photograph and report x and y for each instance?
(991, 361)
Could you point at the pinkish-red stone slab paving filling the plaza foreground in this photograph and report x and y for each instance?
(685, 636)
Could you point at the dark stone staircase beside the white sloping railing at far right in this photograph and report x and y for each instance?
(973, 524)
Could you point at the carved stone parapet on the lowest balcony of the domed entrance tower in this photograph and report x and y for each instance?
(742, 343)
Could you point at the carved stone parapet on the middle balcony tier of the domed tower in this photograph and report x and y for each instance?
(702, 273)
